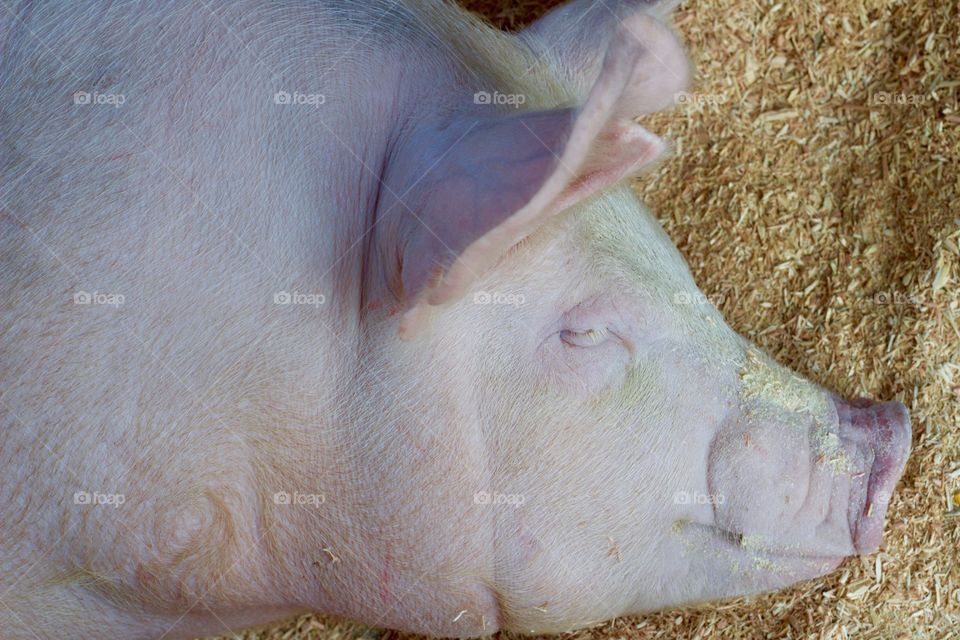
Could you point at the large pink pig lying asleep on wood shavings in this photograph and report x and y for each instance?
(348, 307)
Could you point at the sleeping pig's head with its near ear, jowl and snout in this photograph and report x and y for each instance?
(658, 457)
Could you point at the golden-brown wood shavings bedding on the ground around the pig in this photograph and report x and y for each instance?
(814, 192)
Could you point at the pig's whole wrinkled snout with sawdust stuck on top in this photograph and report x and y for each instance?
(811, 479)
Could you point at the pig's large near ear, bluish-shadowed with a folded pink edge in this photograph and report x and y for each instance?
(483, 184)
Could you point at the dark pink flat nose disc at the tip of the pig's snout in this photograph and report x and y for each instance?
(881, 430)
